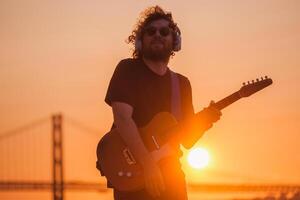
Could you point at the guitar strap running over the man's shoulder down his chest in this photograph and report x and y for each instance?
(175, 98)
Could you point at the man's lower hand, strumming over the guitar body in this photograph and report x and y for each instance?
(154, 183)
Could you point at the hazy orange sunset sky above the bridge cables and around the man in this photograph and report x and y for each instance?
(60, 57)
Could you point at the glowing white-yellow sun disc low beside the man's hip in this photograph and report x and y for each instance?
(198, 158)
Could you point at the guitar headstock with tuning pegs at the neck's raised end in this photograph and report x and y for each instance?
(250, 88)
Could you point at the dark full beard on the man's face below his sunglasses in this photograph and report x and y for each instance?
(152, 52)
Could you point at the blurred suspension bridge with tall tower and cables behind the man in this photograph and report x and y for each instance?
(57, 153)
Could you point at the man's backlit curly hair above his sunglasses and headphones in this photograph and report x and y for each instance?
(146, 17)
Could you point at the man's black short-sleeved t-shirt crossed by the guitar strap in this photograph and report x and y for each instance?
(134, 83)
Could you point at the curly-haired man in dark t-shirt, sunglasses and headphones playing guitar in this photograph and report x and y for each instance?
(139, 89)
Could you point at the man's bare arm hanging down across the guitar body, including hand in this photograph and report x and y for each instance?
(128, 130)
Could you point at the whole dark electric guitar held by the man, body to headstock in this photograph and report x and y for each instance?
(118, 164)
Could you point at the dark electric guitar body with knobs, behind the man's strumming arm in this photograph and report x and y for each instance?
(117, 162)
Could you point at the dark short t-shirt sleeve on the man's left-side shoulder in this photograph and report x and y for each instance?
(121, 86)
